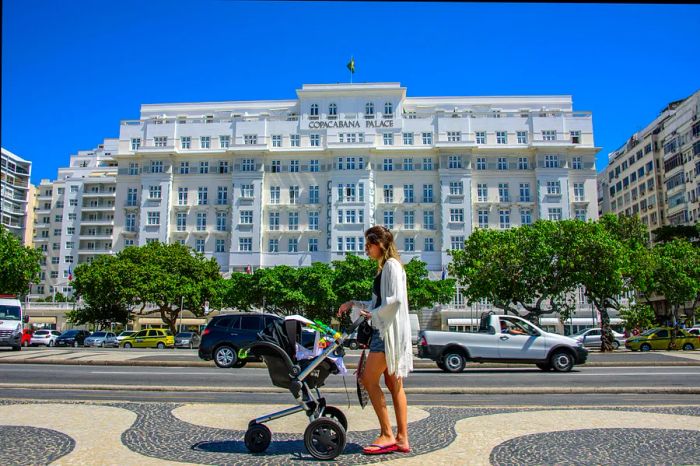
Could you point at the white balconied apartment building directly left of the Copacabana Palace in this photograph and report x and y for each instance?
(74, 217)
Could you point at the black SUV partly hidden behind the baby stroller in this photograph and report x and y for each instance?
(227, 333)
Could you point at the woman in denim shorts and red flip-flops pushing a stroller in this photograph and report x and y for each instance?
(391, 352)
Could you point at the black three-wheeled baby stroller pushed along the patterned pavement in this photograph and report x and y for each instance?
(325, 436)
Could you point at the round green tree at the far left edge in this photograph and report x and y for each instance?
(19, 265)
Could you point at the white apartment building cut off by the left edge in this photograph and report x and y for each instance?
(15, 190)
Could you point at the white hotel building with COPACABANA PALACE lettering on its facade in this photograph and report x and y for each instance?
(264, 183)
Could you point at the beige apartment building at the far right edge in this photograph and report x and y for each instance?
(655, 174)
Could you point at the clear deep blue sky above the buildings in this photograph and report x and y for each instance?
(72, 69)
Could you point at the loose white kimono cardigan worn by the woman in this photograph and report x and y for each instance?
(391, 318)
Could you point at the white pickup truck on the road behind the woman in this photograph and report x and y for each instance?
(501, 338)
